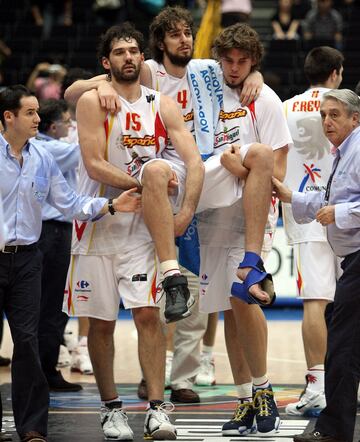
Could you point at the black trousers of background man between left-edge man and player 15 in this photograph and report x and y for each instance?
(55, 245)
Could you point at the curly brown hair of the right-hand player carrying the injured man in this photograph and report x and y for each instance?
(240, 36)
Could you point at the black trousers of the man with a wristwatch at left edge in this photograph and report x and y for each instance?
(20, 291)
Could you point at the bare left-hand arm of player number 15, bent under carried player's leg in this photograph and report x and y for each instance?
(91, 118)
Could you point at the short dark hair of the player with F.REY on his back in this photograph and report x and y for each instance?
(320, 62)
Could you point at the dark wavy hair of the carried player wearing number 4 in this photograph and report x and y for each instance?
(166, 21)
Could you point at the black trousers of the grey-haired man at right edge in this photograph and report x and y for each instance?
(342, 363)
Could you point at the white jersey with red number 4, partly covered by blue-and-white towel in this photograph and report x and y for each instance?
(178, 89)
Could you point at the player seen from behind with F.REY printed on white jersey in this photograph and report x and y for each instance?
(317, 267)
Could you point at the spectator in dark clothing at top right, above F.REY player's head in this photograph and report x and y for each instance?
(323, 25)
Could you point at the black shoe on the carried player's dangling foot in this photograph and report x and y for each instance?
(178, 298)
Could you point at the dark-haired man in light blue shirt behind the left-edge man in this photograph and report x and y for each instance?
(55, 241)
